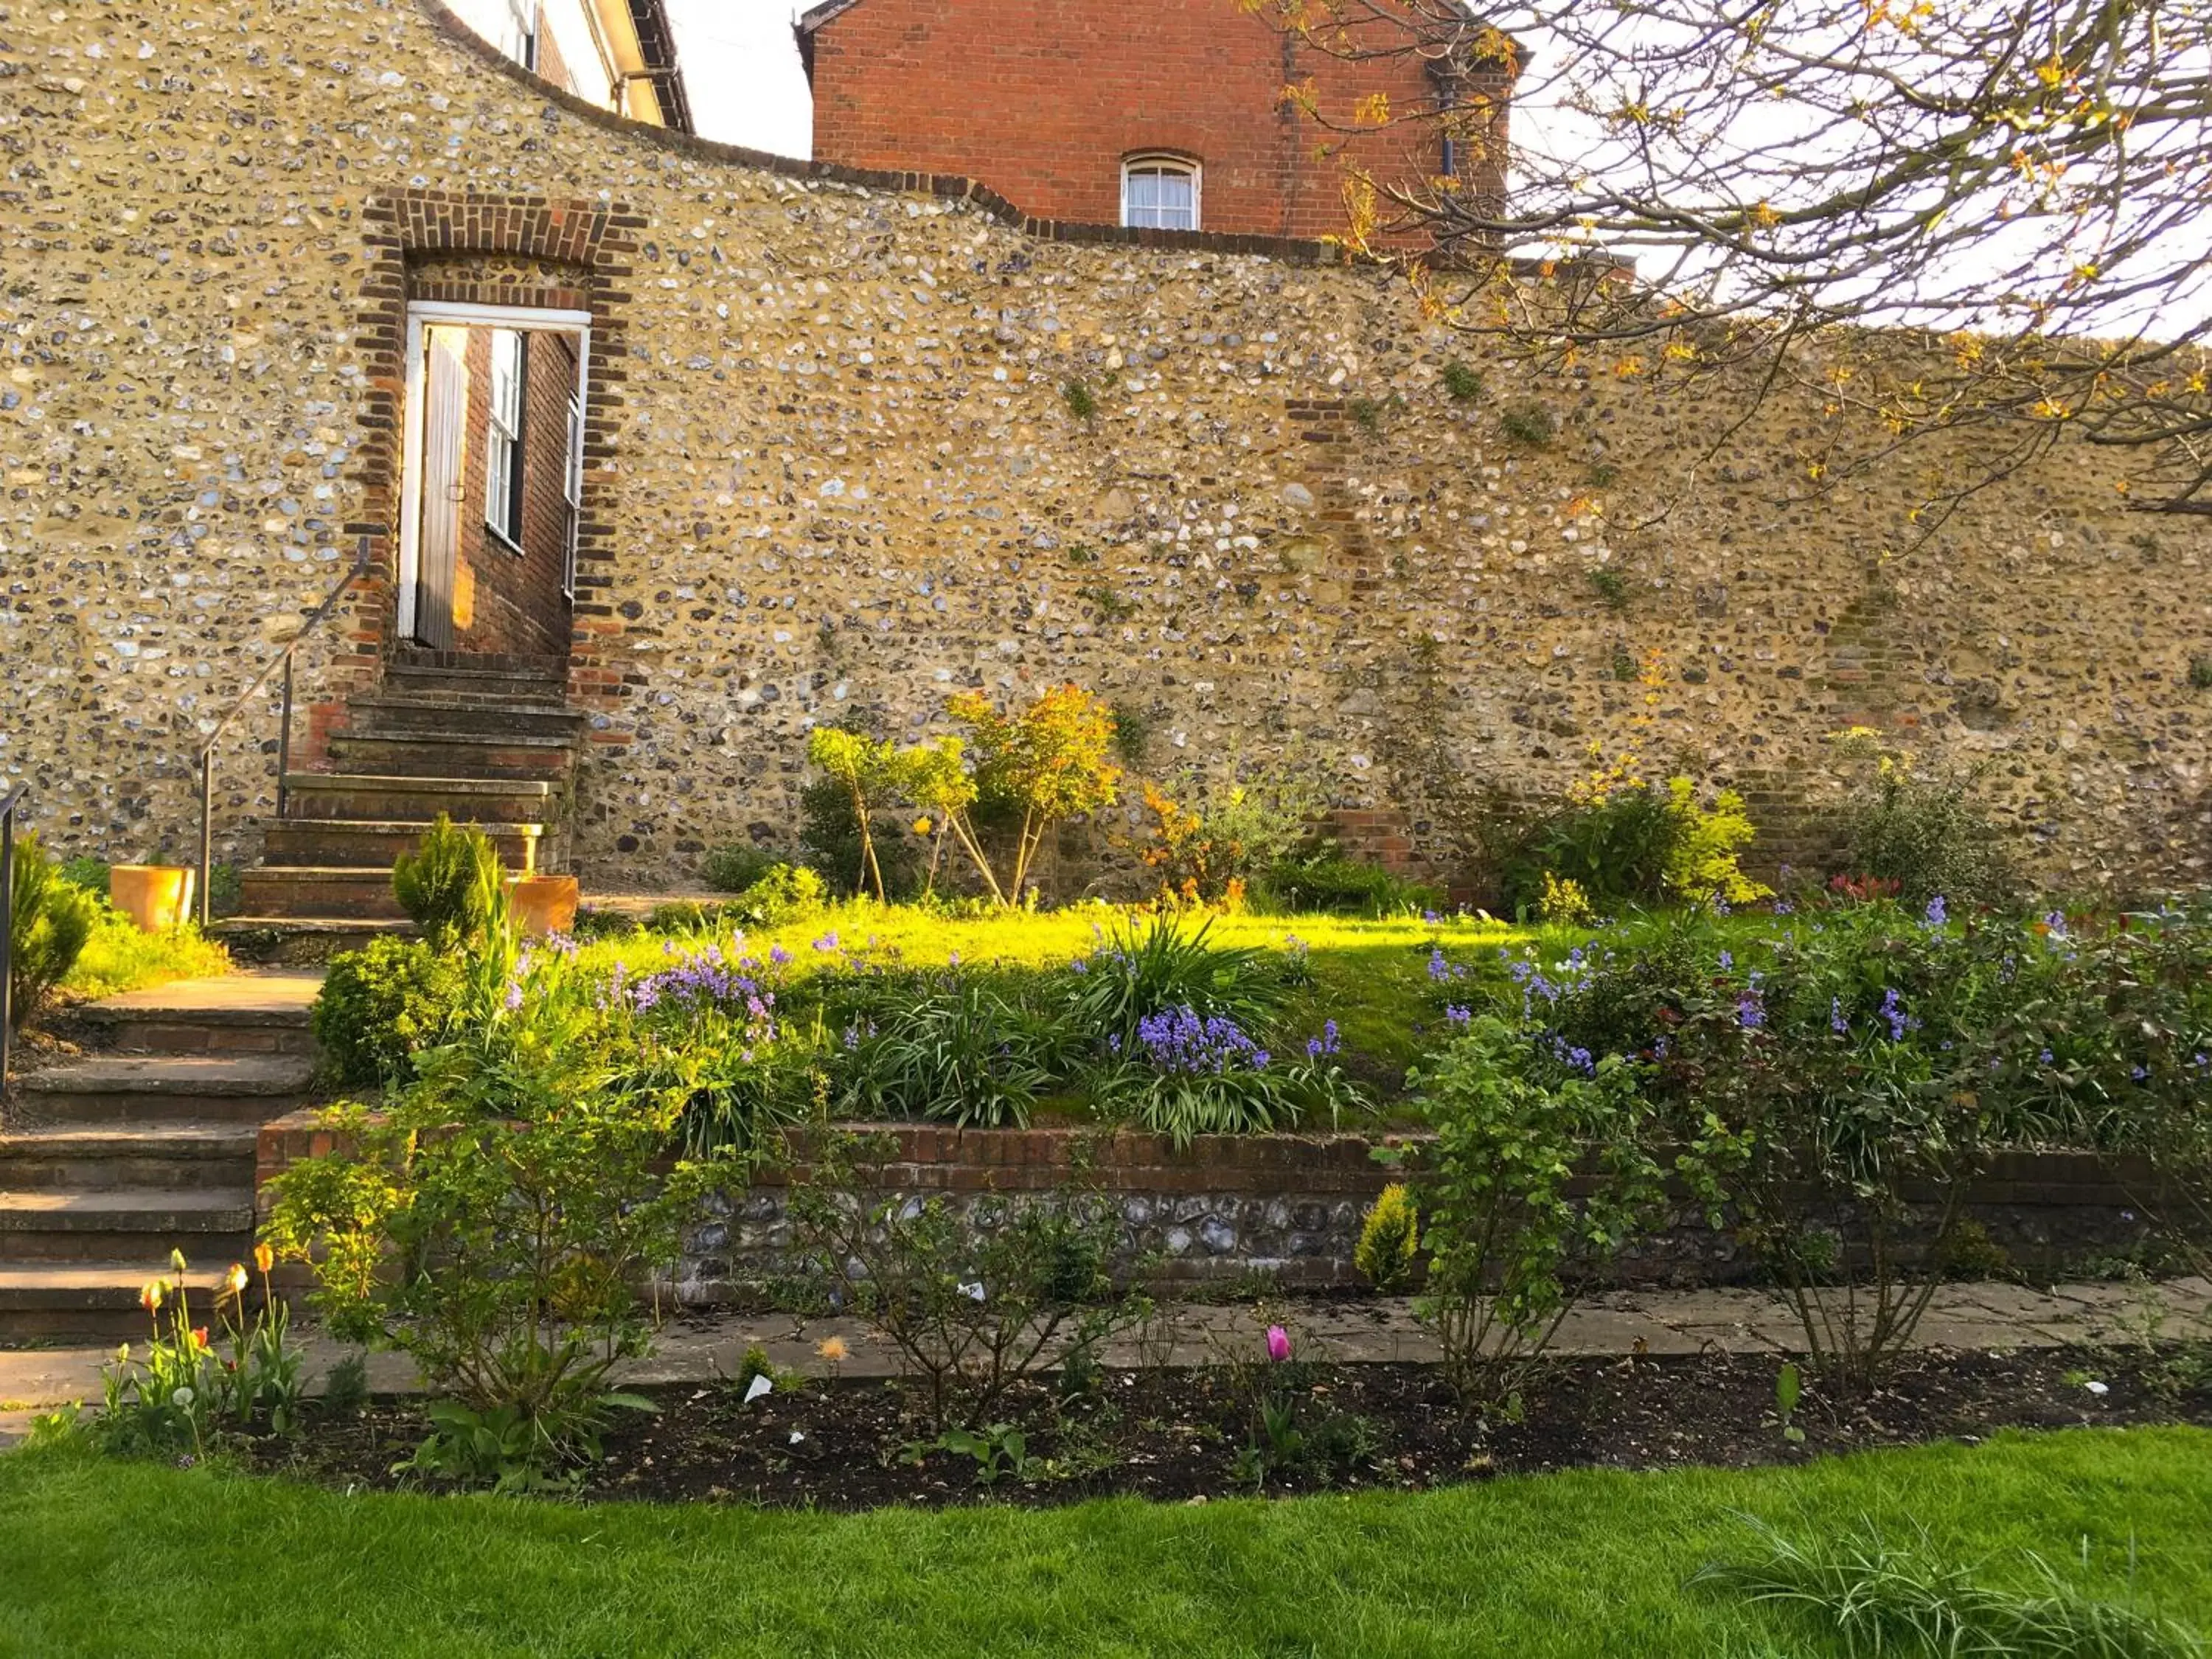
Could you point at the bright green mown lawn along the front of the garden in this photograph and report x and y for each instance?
(103, 1558)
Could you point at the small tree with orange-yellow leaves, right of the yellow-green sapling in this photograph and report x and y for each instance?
(1050, 764)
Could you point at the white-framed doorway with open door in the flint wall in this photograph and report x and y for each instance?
(492, 479)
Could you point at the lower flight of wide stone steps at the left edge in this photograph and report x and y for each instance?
(114, 1160)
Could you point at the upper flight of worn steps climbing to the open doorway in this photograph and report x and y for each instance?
(483, 740)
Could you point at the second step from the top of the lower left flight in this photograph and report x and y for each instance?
(163, 1089)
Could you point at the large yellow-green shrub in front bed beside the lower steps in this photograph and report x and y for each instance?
(497, 1218)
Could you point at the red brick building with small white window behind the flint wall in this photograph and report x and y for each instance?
(1167, 116)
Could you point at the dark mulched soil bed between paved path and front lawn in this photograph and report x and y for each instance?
(1185, 1434)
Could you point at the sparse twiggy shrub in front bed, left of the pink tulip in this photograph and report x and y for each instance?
(974, 1306)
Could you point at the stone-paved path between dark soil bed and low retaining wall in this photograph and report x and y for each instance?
(1731, 1322)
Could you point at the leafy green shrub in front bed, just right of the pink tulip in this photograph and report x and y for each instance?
(1510, 1249)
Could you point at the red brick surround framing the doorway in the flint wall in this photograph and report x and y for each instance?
(494, 251)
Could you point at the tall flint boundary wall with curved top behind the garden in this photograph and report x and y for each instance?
(831, 470)
